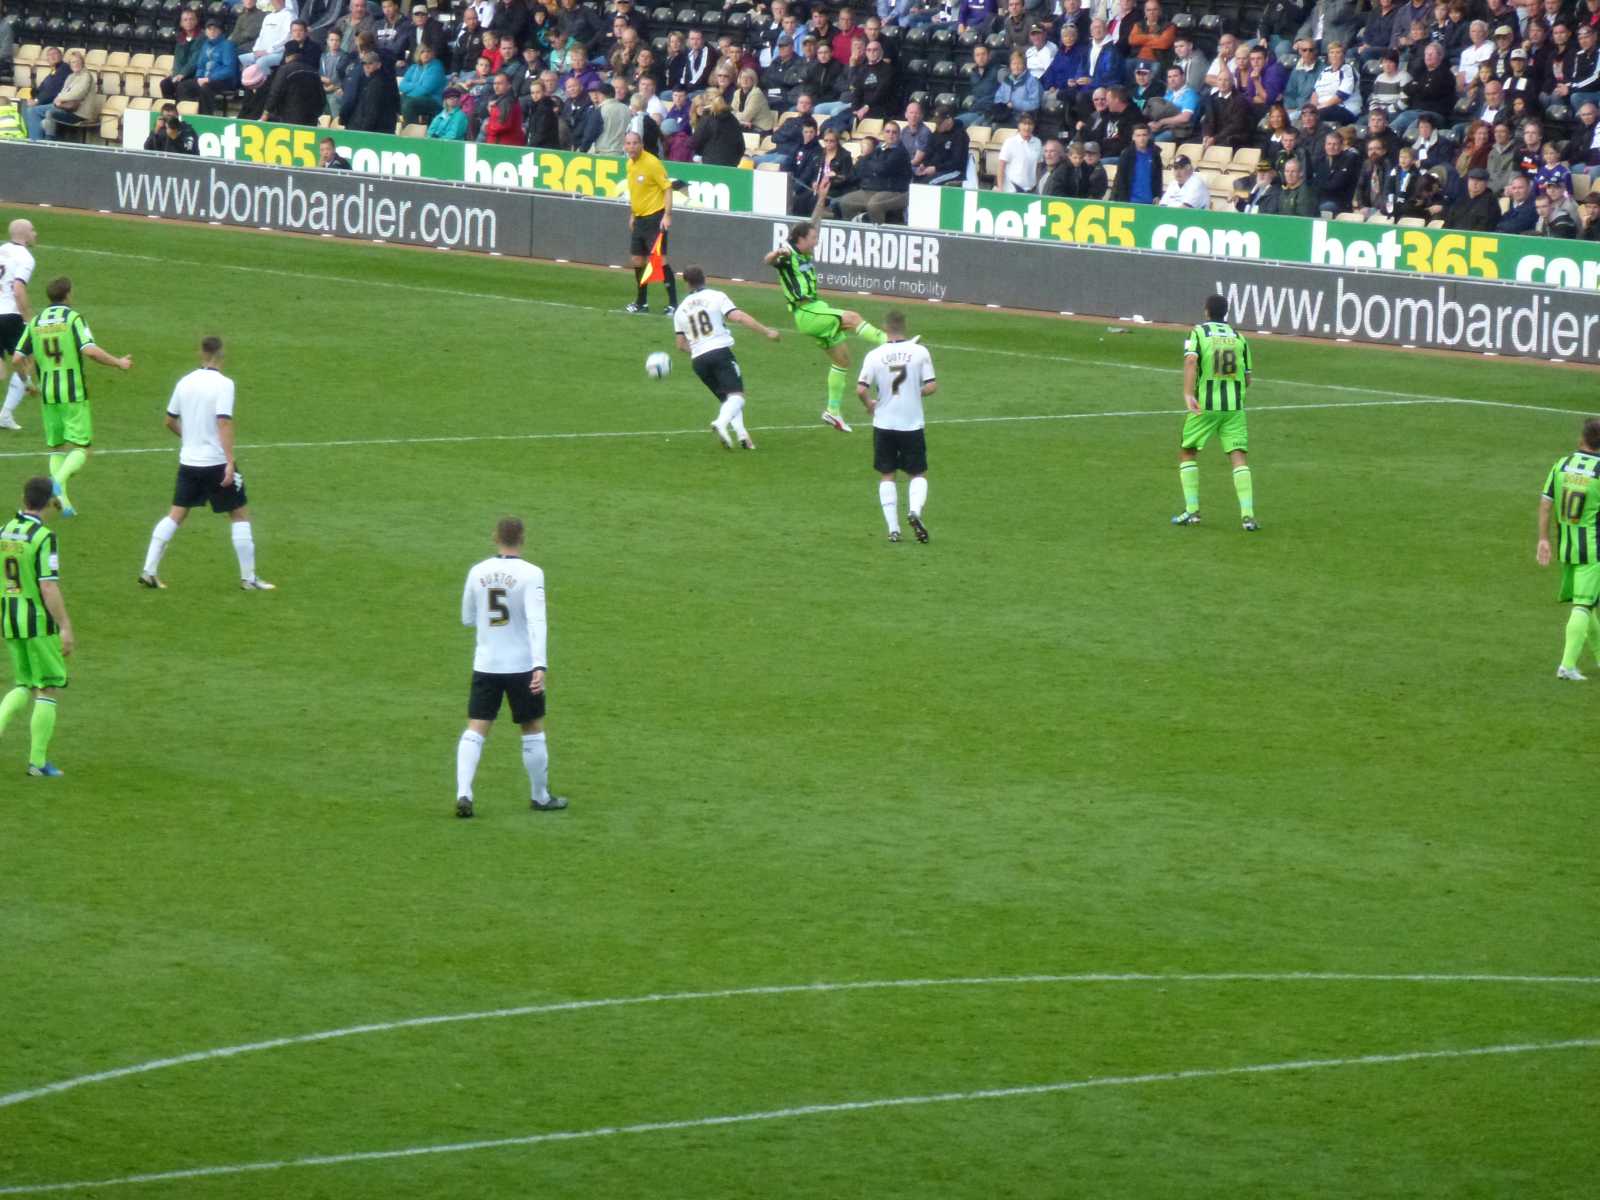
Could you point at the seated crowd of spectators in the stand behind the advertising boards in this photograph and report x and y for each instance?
(1470, 114)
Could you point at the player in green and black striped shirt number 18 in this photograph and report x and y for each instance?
(1217, 375)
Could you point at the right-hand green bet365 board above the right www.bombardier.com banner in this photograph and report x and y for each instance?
(1558, 263)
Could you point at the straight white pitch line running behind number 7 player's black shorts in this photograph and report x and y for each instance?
(810, 426)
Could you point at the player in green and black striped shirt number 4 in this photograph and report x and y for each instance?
(58, 342)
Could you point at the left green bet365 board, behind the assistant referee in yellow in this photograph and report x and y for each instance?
(726, 190)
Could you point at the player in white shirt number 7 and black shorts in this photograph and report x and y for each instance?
(894, 382)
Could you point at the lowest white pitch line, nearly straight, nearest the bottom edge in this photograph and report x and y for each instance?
(807, 1111)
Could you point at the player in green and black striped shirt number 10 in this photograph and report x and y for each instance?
(1574, 492)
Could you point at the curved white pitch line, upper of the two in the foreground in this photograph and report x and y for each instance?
(778, 990)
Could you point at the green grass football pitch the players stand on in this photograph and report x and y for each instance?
(1070, 855)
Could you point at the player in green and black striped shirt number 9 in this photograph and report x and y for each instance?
(34, 622)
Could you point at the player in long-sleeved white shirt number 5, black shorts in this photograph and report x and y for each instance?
(505, 602)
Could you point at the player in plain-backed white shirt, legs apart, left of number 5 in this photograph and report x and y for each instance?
(202, 415)
